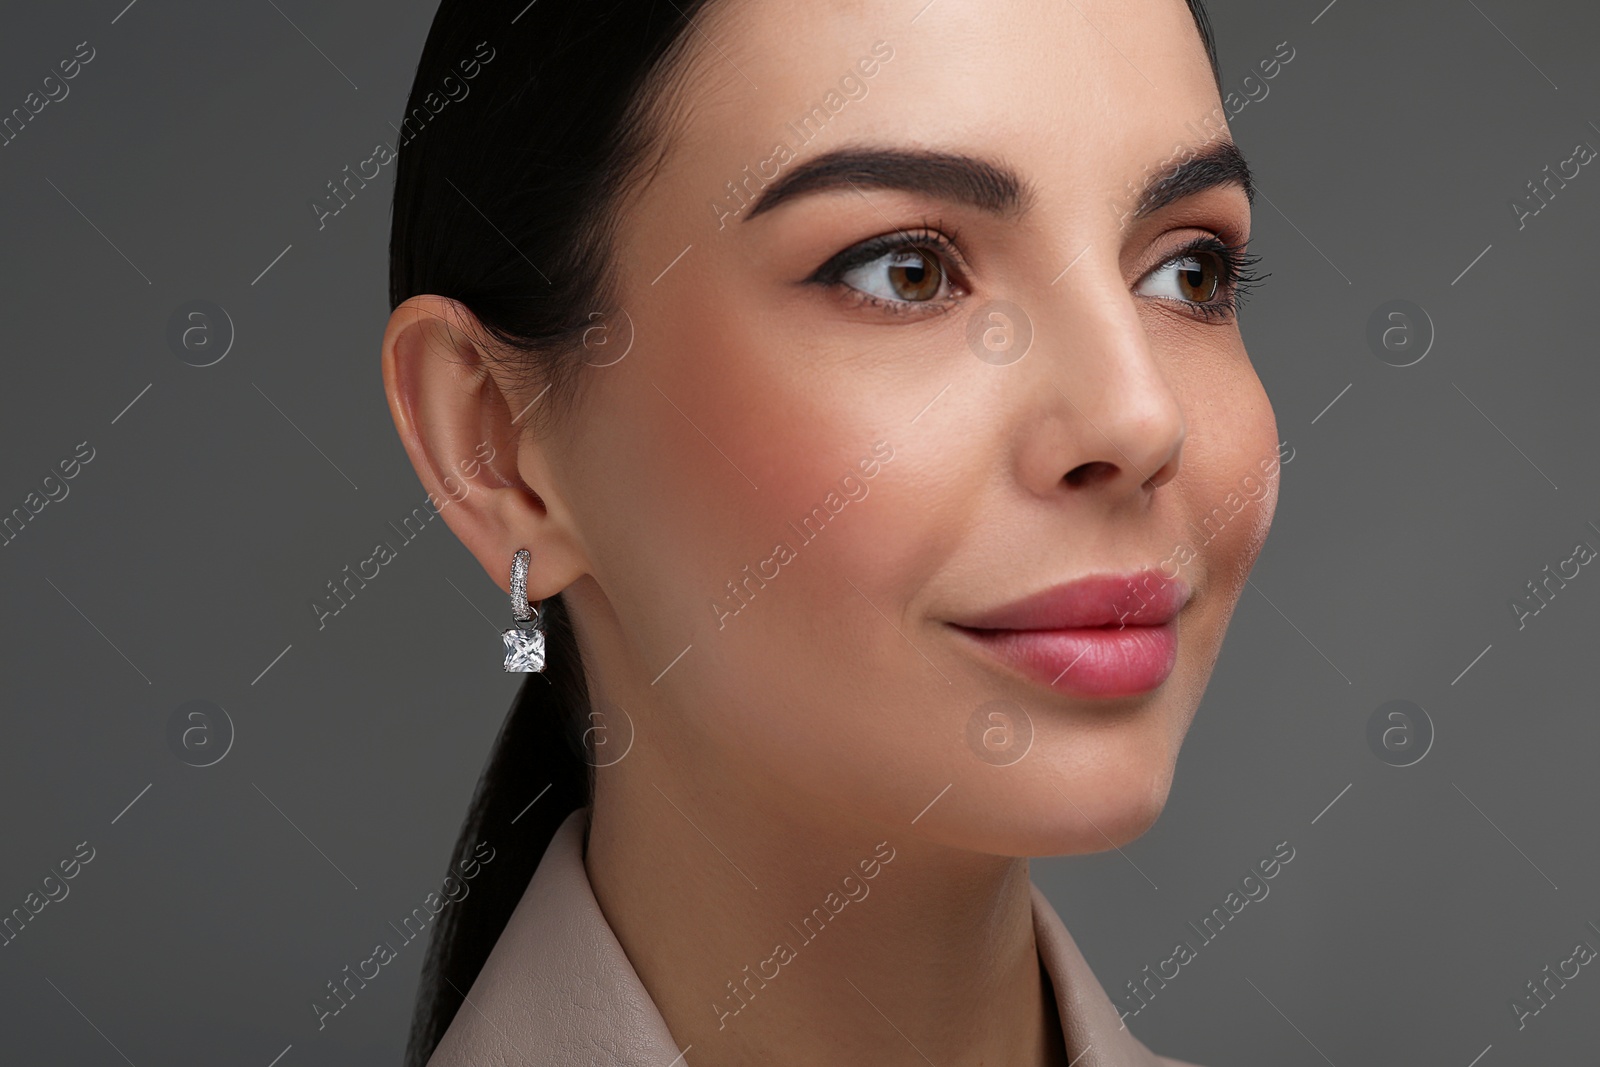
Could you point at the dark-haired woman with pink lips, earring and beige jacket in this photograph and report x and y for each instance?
(854, 375)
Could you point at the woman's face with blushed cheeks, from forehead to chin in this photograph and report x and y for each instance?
(807, 473)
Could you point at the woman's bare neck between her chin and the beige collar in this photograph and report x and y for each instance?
(778, 933)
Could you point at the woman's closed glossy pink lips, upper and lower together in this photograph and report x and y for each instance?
(1102, 636)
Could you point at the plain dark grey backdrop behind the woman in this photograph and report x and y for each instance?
(220, 503)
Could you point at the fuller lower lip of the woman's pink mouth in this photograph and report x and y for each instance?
(1089, 661)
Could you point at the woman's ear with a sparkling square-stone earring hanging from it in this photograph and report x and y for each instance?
(460, 426)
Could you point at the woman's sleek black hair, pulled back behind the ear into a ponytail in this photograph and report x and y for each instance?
(524, 129)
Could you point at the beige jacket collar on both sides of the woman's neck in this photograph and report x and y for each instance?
(558, 989)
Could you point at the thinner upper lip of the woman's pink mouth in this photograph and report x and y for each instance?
(1130, 599)
